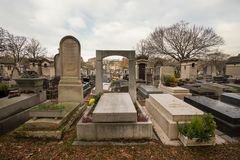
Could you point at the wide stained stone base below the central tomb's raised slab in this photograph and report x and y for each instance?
(109, 131)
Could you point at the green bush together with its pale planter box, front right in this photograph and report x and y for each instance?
(199, 132)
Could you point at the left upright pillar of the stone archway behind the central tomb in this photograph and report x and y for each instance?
(99, 76)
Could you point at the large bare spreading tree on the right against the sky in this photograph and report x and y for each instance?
(182, 41)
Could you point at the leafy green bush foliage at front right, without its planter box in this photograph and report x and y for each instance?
(202, 128)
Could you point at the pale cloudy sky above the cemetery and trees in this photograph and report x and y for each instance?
(116, 24)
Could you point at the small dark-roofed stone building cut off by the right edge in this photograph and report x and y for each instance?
(233, 67)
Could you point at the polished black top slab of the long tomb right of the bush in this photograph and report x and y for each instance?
(219, 109)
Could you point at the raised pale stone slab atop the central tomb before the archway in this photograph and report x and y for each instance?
(115, 107)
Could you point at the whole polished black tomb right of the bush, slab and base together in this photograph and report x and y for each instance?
(226, 116)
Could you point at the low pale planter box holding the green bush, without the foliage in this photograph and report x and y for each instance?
(195, 141)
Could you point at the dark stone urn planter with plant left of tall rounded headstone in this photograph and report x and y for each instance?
(30, 82)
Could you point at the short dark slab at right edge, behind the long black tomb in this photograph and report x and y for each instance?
(231, 98)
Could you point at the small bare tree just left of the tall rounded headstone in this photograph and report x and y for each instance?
(35, 50)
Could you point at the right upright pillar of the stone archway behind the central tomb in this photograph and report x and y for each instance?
(132, 80)
